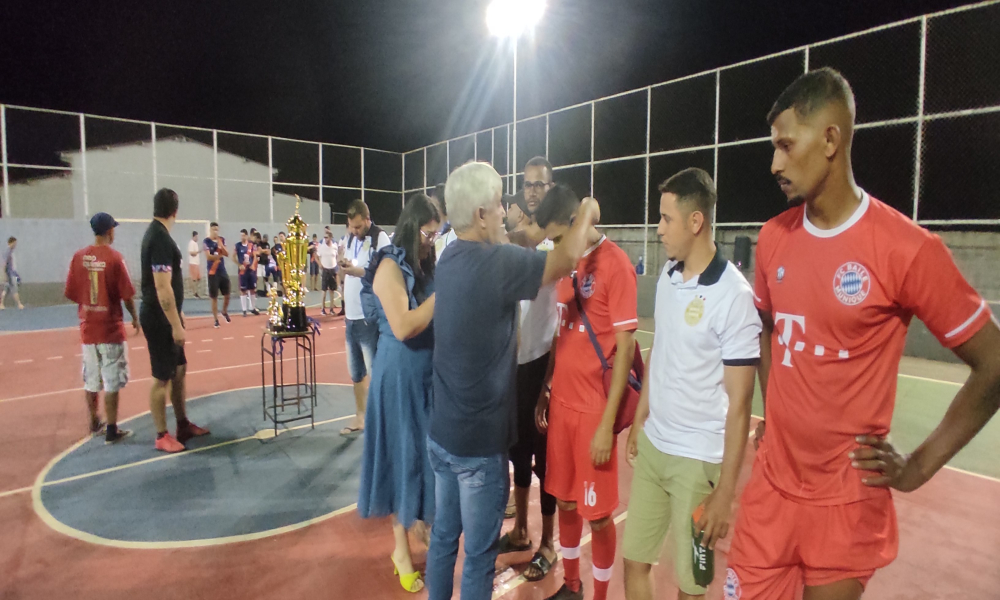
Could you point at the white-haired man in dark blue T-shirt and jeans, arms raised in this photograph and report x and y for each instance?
(478, 284)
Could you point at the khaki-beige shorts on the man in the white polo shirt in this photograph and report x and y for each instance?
(666, 489)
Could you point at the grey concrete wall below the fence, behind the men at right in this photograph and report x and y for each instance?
(976, 253)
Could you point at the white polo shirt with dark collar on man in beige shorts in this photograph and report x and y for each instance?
(702, 325)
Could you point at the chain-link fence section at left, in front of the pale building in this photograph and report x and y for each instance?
(62, 165)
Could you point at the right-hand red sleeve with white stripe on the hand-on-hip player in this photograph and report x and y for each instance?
(936, 292)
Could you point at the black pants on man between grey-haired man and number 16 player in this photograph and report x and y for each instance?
(531, 442)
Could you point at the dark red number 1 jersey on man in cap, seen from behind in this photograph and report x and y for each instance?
(98, 281)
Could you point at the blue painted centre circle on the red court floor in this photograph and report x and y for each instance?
(237, 481)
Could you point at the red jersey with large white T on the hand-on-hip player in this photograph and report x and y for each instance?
(841, 301)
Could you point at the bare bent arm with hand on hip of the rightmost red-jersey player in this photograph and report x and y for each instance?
(973, 406)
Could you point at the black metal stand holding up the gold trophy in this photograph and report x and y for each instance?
(302, 393)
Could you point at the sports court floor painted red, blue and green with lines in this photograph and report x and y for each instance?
(245, 515)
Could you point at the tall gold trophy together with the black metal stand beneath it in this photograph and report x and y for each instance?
(287, 322)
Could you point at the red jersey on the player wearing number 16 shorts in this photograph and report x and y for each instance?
(607, 284)
